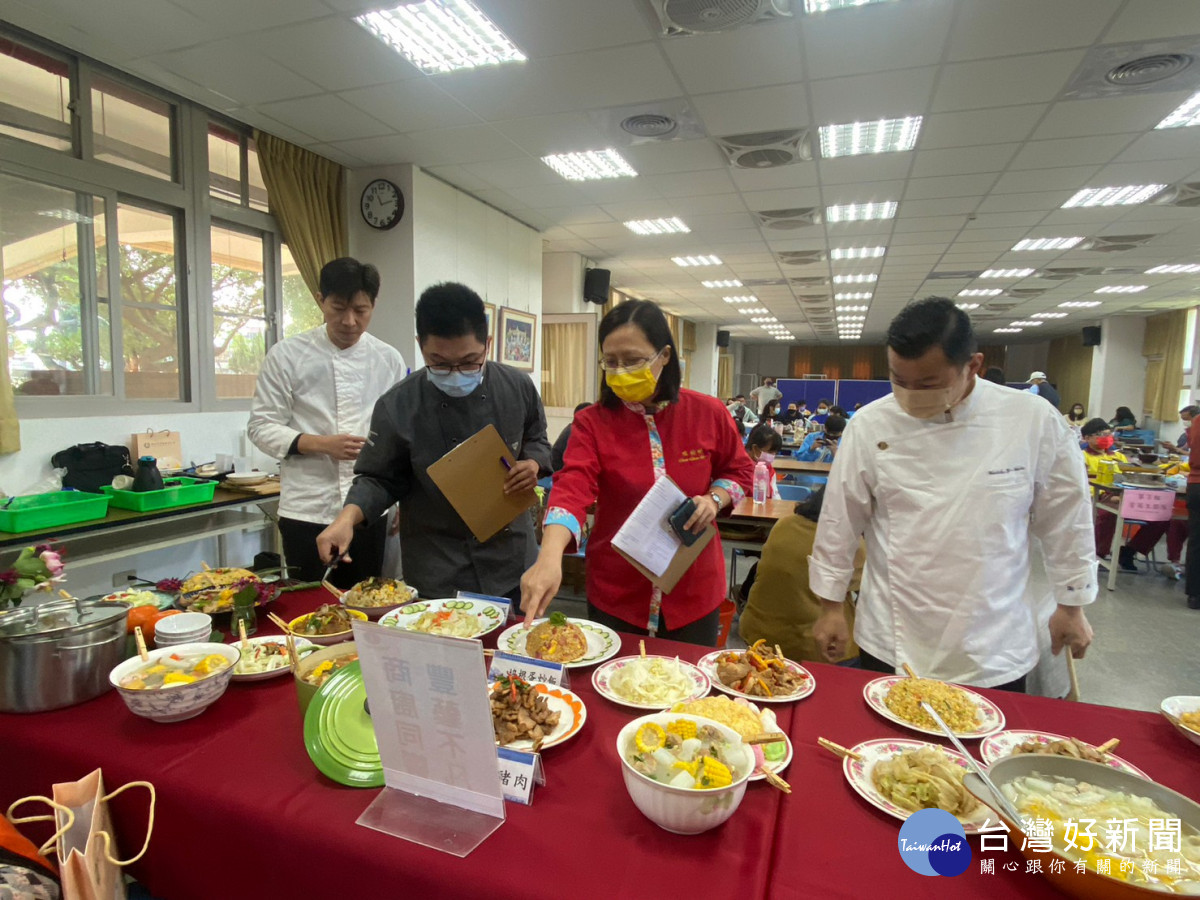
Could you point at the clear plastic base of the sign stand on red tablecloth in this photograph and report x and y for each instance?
(423, 820)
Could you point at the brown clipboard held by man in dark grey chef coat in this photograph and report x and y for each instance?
(472, 478)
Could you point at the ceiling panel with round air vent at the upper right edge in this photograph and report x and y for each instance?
(1139, 68)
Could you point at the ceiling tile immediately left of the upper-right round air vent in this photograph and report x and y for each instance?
(1005, 82)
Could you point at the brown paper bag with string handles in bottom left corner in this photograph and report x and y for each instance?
(87, 851)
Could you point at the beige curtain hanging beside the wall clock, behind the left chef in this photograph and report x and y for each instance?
(305, 194)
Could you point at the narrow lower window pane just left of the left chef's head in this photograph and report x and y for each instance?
(239, 311)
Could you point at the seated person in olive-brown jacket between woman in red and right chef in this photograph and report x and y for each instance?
(782, 608)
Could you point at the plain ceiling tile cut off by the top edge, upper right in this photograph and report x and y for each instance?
(985, 28)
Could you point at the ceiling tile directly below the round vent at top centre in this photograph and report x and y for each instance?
(745, 58)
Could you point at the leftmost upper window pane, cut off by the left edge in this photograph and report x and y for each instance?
(37, 92)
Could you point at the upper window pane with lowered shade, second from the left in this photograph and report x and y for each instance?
(131, 129)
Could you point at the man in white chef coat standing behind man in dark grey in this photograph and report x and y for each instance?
(313, 411)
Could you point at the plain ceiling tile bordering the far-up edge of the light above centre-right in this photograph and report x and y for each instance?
(872, 97)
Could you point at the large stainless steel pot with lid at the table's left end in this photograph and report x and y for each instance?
(59, 653)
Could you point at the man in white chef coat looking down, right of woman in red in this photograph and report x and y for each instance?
(946, 478)
